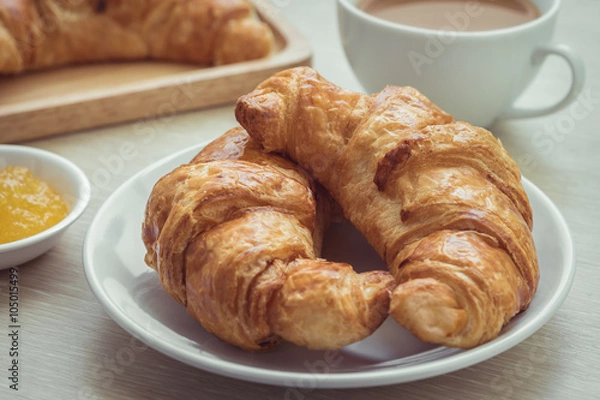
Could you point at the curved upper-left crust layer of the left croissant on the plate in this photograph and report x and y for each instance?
(178, 214)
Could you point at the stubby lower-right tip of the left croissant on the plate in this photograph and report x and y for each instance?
(334, 316)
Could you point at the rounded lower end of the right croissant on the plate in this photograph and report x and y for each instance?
(457, 288)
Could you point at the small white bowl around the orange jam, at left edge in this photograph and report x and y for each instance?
(65, 177)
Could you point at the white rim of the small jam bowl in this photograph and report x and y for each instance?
(65, 165)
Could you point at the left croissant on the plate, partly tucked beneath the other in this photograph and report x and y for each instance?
(234, 236)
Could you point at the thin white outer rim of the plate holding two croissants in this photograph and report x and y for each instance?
(344, 379)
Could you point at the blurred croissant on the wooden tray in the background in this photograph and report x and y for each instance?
(48, 33)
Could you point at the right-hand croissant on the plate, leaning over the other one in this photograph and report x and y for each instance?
(440, 200)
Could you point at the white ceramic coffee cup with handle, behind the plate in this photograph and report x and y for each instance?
(474, 75)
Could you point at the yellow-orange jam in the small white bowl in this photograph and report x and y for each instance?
(27, 205)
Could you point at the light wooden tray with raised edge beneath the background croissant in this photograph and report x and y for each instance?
(45, 103)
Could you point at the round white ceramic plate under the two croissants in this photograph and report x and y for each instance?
(134, 298)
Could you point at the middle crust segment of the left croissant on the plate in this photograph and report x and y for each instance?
(234, 269)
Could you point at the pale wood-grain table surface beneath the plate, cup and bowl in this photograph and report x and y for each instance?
(68, 341)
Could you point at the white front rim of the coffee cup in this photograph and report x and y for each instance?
(352, 8)
